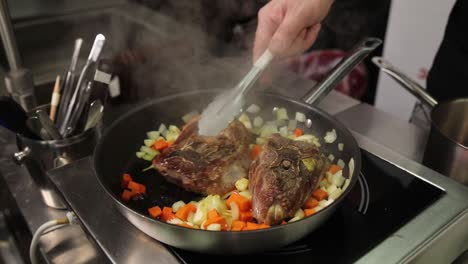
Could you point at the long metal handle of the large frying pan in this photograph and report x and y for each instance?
(346, 65)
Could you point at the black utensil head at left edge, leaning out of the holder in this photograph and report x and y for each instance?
(13, 117)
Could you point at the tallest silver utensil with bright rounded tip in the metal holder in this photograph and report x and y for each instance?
(83, 88)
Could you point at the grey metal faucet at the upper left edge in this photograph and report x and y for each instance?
(19, 81)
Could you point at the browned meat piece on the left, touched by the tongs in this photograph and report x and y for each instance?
(208, 165)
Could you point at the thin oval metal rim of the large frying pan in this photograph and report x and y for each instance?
(357, 160)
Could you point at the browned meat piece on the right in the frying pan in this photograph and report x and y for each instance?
(283, 177)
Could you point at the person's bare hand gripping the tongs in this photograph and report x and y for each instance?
(289, 27)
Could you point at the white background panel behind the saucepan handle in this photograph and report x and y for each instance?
(414, 32)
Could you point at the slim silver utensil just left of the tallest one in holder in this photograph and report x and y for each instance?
(67, 84)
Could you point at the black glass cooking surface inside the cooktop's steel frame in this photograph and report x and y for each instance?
(384, 198)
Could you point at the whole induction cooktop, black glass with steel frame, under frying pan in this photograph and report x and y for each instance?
(398, 211)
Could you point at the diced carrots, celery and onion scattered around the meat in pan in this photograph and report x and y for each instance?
(233, 211)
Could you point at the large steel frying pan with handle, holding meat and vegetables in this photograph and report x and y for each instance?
(130, 130)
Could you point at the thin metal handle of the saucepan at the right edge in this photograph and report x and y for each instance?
(409, 84)
